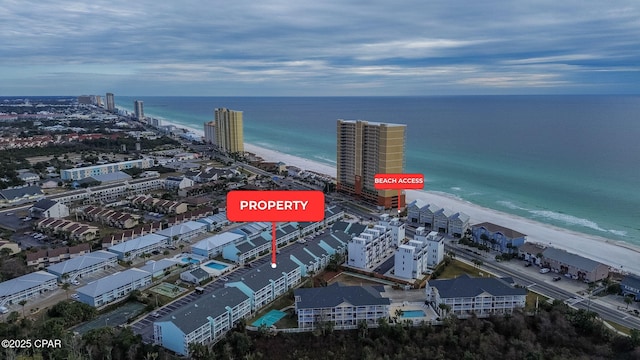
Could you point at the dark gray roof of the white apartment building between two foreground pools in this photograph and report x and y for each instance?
(336, 294)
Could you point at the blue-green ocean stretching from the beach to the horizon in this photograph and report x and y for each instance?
(569, 161)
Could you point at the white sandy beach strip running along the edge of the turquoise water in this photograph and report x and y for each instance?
(589, 246)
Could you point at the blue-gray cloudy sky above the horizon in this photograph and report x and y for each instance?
(319, 47)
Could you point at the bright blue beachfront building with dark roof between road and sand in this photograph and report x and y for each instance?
(498, 238)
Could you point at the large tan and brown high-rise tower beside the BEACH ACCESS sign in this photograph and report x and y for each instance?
(364, 150)
